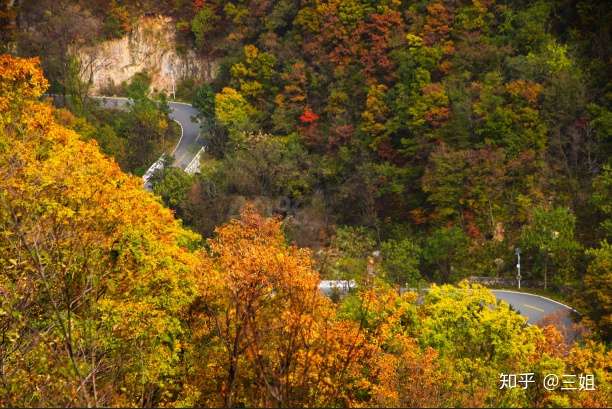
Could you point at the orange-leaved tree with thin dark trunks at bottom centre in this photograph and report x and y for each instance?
(268, 336)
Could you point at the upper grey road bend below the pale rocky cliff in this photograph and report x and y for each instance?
(189, 145)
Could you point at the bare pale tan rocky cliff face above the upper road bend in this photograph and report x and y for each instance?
(151, 48)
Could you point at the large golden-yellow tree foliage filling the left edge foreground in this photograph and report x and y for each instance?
(95, 274)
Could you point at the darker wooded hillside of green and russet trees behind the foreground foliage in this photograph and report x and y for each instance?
(444, 135)
